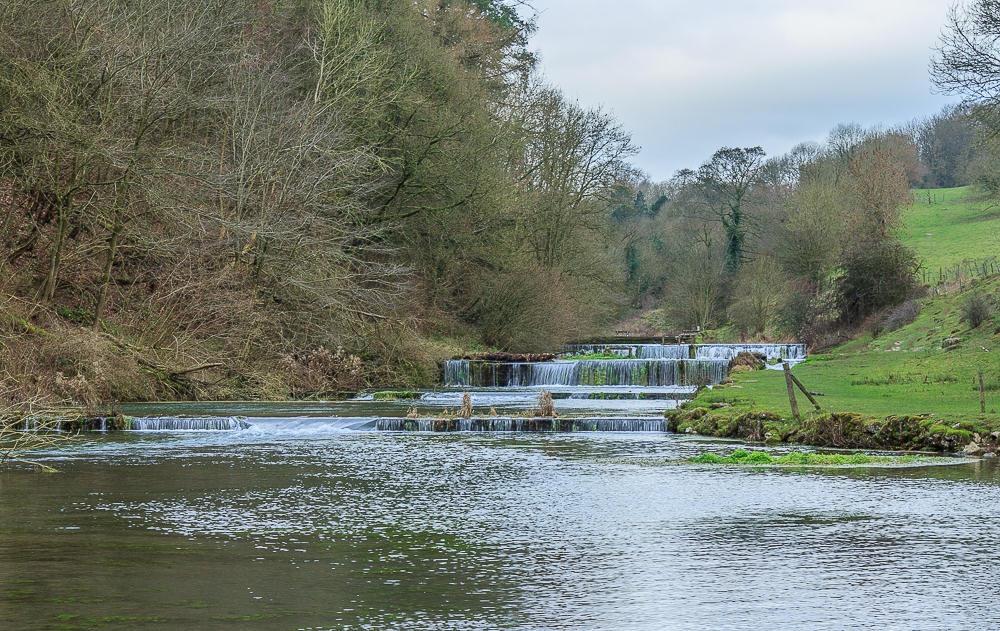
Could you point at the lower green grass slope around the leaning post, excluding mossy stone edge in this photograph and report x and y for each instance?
(902, 372)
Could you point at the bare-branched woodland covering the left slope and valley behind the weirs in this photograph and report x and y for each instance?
(273, 198)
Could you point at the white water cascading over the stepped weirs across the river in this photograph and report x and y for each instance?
(628, 393)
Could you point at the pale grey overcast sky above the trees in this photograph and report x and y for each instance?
(687, 77)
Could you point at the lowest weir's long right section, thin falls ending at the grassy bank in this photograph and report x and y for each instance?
(523, 424)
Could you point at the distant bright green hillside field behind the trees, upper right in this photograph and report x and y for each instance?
(950, 225)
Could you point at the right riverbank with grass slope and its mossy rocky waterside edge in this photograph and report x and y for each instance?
(915, 388)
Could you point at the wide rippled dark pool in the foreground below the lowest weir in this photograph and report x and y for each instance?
(328, 529)
